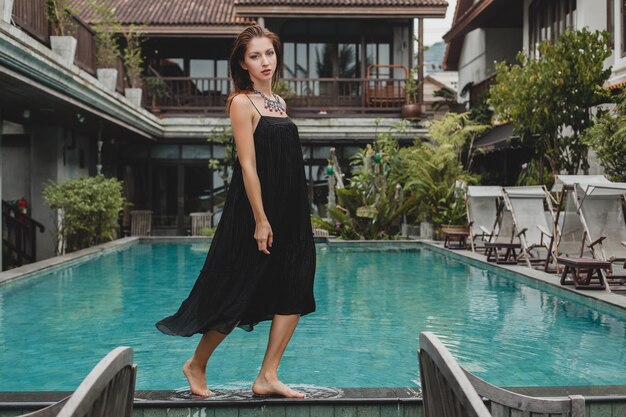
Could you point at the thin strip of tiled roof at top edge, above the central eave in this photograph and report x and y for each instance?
(343, 3)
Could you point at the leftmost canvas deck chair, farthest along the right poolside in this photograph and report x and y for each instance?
(482, 213)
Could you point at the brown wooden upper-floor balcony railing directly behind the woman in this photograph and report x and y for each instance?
(342, 95)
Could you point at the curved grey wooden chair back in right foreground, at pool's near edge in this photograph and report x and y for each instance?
(446, 391)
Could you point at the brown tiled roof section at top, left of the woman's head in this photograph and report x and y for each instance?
(169, 12)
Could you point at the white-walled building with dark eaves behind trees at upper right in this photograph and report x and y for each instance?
(488, 31)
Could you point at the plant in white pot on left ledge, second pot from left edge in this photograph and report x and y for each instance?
(63, 43)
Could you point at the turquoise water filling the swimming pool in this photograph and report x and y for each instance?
(372, 304)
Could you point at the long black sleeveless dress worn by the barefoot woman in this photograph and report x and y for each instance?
(239, 285)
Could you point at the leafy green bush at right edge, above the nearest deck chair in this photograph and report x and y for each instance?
(607, 137)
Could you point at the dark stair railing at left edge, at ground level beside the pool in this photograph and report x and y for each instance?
(19, 237)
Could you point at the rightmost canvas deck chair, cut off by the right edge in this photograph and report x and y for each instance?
(601, 211)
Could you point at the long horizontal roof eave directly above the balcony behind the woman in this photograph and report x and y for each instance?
(334, 12)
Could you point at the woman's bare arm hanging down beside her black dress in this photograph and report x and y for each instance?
(242, 119)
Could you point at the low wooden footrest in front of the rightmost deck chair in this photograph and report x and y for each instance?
(576, 267)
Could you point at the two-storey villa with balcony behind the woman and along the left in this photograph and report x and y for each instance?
(344, 76)
